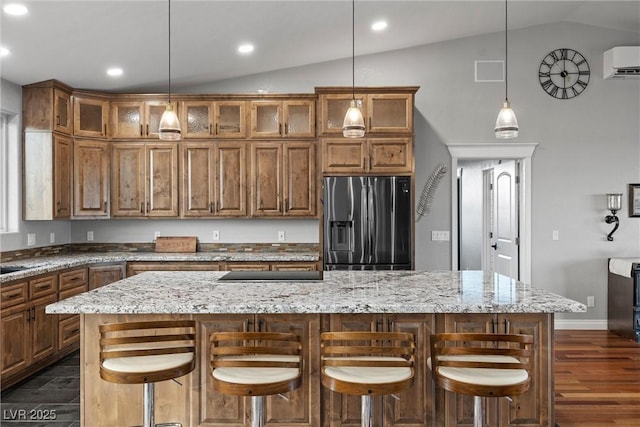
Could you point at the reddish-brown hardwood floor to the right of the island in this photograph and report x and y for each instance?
(597, 379)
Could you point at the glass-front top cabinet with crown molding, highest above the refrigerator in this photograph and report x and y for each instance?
(387, 110)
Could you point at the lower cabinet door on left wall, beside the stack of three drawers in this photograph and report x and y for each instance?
(43, 329)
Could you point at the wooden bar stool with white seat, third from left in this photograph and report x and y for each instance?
(367, 364)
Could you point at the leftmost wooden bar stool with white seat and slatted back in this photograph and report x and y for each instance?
(145, 353)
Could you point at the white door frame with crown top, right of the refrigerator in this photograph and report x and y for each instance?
(522, 151)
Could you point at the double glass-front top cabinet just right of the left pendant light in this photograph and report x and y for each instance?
(214, 119)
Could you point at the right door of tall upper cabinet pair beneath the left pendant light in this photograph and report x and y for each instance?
(162, 179)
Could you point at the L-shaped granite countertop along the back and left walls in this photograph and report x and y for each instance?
(43, 265)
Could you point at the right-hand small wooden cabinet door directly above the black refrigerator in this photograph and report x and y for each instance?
(390, 155)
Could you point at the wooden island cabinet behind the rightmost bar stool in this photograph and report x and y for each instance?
(533, 408)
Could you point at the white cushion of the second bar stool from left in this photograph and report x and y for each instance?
(249, 375)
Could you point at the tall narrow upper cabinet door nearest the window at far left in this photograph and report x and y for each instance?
(62, 176)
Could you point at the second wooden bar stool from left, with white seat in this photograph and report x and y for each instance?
(256, 364)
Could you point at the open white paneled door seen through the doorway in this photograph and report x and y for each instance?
(504, 227)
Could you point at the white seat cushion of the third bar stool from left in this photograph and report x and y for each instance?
(368, 375)
